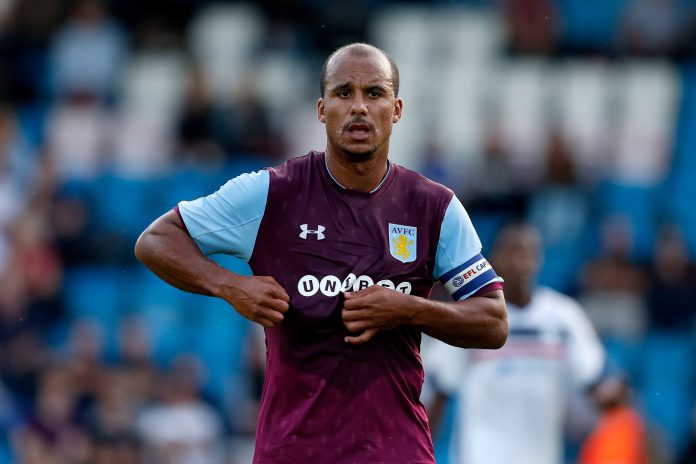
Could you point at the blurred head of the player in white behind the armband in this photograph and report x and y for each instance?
(517, 257)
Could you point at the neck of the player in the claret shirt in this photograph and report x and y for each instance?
(363, 176)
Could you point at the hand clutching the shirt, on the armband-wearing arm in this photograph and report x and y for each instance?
(375, 308)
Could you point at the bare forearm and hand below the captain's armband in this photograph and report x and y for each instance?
(477, 322)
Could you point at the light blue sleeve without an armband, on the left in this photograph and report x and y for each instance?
(228, 220)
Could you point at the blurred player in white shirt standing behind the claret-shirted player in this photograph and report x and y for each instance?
(511, 401)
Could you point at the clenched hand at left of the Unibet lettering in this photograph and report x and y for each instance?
(260, 299)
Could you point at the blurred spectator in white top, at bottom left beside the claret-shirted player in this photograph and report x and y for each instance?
(181, 428)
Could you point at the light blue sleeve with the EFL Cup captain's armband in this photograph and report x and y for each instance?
(459, 265)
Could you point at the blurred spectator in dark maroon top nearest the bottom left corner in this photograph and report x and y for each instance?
(51, 436)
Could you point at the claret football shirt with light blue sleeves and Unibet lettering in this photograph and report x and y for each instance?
(324, 400)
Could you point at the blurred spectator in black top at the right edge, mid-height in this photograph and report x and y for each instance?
(671, 295)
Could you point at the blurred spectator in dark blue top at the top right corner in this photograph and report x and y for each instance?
(649, 27)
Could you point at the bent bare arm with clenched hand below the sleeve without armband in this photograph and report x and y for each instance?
(166, 248)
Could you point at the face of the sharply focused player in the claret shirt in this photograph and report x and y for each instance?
(359, 106)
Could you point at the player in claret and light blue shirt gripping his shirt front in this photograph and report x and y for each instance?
(345, 247)
